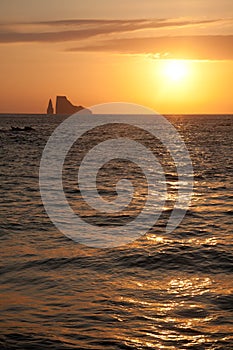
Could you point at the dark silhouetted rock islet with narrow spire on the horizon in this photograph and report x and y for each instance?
(65, 107)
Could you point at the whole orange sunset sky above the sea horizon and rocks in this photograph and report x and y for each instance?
(174, 56)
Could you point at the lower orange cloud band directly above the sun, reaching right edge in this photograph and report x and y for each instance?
(208, 47)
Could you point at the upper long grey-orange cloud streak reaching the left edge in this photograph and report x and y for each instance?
(81, 29)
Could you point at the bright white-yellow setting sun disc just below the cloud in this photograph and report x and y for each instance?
(175, 70)
